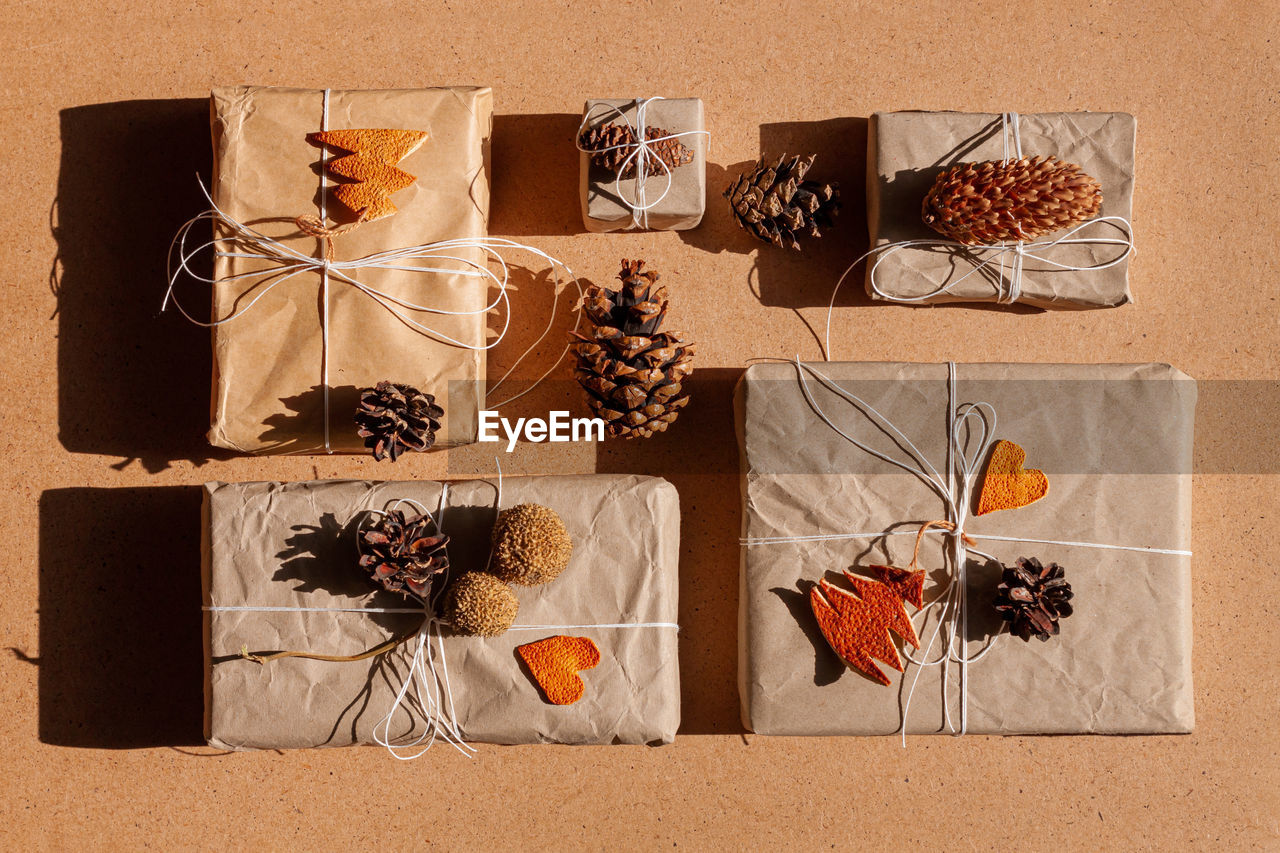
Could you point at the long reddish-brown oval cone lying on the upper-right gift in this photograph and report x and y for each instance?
(996, 202)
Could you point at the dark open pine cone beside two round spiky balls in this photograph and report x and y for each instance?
(403, 554)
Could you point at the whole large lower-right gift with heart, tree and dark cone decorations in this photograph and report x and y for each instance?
(906, 569)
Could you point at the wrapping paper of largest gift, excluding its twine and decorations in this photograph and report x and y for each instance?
(1116, 443)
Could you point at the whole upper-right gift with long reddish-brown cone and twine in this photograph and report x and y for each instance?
(1000, 208)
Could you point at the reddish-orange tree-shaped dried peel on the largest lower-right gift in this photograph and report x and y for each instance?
(857, 624)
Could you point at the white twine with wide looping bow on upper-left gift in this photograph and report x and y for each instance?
(284, 263)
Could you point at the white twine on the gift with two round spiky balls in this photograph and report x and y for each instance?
(427, 690)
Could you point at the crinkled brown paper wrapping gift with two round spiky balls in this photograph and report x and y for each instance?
(262, 549)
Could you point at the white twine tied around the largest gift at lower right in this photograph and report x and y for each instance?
(968, 425)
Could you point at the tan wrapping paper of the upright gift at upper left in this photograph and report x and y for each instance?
(268, 363)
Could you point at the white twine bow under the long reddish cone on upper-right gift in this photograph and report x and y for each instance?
(995, 257)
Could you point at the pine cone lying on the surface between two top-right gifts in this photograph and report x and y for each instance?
(776, 204)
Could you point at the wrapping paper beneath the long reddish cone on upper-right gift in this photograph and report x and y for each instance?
(908, 150)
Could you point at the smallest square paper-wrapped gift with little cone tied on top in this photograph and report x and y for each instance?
(643, 165)
